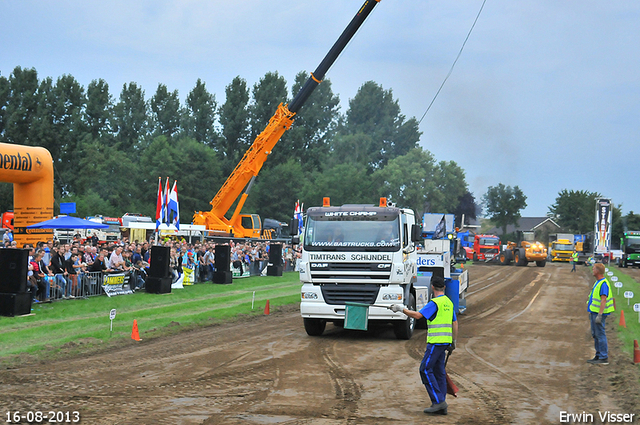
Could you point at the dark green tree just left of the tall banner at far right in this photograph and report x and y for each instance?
(574, 210)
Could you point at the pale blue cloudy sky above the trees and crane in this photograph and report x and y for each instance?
(545, 96)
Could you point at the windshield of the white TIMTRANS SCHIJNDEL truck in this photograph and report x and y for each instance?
(368, 231)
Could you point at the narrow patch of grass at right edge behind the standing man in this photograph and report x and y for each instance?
(632, 331)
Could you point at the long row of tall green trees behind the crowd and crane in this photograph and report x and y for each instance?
(109, 152)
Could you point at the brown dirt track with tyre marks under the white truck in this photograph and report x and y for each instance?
(520, 359)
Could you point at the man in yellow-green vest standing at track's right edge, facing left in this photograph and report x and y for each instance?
(600, 305)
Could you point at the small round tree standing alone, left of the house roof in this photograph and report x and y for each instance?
(503, 204)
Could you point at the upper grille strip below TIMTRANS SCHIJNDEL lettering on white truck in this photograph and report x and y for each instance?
(349, 272)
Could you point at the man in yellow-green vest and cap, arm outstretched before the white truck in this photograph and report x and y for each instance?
(442, 325)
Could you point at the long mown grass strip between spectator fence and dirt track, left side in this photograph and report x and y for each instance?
(54, 325)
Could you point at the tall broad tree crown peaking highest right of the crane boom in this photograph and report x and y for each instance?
(374, 112)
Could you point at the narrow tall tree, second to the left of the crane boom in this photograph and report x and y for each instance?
(234, 119)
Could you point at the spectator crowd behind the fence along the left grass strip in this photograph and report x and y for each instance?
(70, 270)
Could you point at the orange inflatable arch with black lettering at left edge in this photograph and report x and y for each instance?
(30, 169)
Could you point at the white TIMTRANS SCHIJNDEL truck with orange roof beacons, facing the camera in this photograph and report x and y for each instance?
(362, 254)
